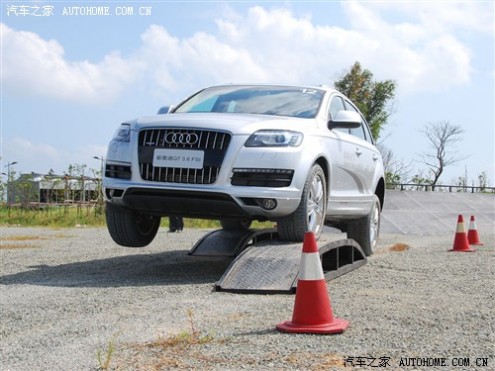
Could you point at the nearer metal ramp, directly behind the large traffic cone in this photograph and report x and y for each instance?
(272, 266)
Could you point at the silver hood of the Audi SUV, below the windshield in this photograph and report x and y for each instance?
(233, 123)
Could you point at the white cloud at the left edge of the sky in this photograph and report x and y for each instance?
(38, 67)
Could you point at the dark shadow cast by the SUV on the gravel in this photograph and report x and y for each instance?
(165, 268)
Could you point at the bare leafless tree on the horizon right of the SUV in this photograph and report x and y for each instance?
(441, 136)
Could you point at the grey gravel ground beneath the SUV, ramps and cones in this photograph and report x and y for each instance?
(67, 294)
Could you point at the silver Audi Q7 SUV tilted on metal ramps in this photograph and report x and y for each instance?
(300, 156)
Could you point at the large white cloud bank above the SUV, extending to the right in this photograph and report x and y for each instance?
(277, 46)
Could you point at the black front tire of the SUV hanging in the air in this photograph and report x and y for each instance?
(129, 228)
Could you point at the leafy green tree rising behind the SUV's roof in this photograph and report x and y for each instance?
(373, 98)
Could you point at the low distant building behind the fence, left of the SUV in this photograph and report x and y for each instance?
(52, 188)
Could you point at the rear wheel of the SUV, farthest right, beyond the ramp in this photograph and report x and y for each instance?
(365, 231)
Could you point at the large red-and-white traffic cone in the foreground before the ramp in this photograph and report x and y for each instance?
(312, 311)
